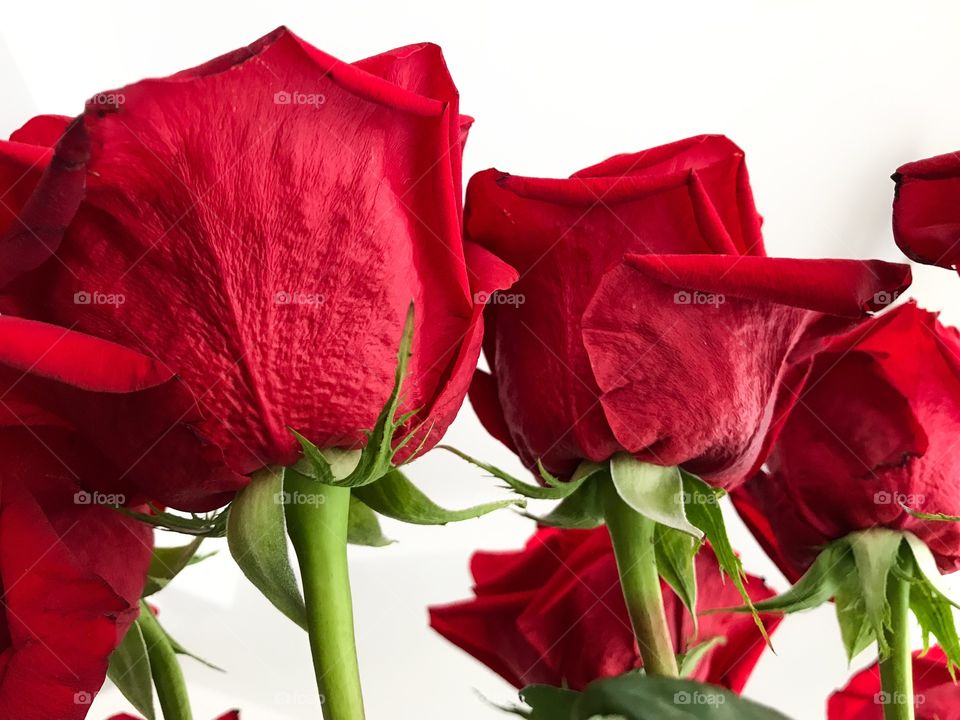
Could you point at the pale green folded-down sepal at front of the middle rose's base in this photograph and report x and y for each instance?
(654, 491)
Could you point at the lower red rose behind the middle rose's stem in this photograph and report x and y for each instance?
(554, 613)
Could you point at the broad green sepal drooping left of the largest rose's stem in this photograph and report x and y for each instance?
(257, 538)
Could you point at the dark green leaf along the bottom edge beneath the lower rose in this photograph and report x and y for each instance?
(635, 696)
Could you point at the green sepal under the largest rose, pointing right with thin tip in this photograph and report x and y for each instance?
(398, 498)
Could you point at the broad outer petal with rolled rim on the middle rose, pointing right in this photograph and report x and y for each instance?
(691, 351)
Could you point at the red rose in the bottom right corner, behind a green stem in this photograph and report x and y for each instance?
(936, 695)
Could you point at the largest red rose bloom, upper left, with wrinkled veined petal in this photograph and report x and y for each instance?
(260, 225)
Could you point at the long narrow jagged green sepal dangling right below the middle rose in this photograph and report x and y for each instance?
(703, 509)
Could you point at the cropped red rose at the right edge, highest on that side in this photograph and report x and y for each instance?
(926, 210)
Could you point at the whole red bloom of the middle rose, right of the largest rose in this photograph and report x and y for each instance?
(646, 318)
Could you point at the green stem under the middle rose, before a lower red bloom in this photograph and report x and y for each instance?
(633, 543)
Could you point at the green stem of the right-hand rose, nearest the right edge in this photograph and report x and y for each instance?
(896, 670)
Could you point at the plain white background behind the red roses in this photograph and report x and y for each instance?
(826, 98)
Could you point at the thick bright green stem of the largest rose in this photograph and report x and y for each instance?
(317, 520)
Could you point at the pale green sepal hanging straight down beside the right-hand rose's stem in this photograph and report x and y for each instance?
(875, 553)
